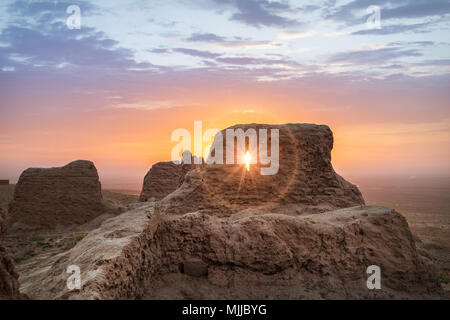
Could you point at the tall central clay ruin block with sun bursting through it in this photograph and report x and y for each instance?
(305, 178)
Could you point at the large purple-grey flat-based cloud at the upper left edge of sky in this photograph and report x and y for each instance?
(84, 47)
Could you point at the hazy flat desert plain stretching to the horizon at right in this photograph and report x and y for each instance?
(425, 202)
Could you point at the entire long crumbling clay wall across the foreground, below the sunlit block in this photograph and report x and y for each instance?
(142, 254)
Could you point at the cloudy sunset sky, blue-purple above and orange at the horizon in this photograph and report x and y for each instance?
(114, 89)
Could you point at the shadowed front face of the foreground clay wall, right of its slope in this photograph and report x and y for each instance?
(275, 256)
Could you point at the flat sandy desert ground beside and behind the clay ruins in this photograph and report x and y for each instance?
(427, 213)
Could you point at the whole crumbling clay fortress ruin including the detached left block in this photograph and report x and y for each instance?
(228, 233)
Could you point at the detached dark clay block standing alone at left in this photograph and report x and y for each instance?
(45, 199)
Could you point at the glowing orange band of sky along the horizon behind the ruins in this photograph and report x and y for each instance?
(126, 142)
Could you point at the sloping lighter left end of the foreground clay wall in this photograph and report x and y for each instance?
(115, 261)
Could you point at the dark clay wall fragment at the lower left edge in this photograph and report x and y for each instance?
(9, 283)
